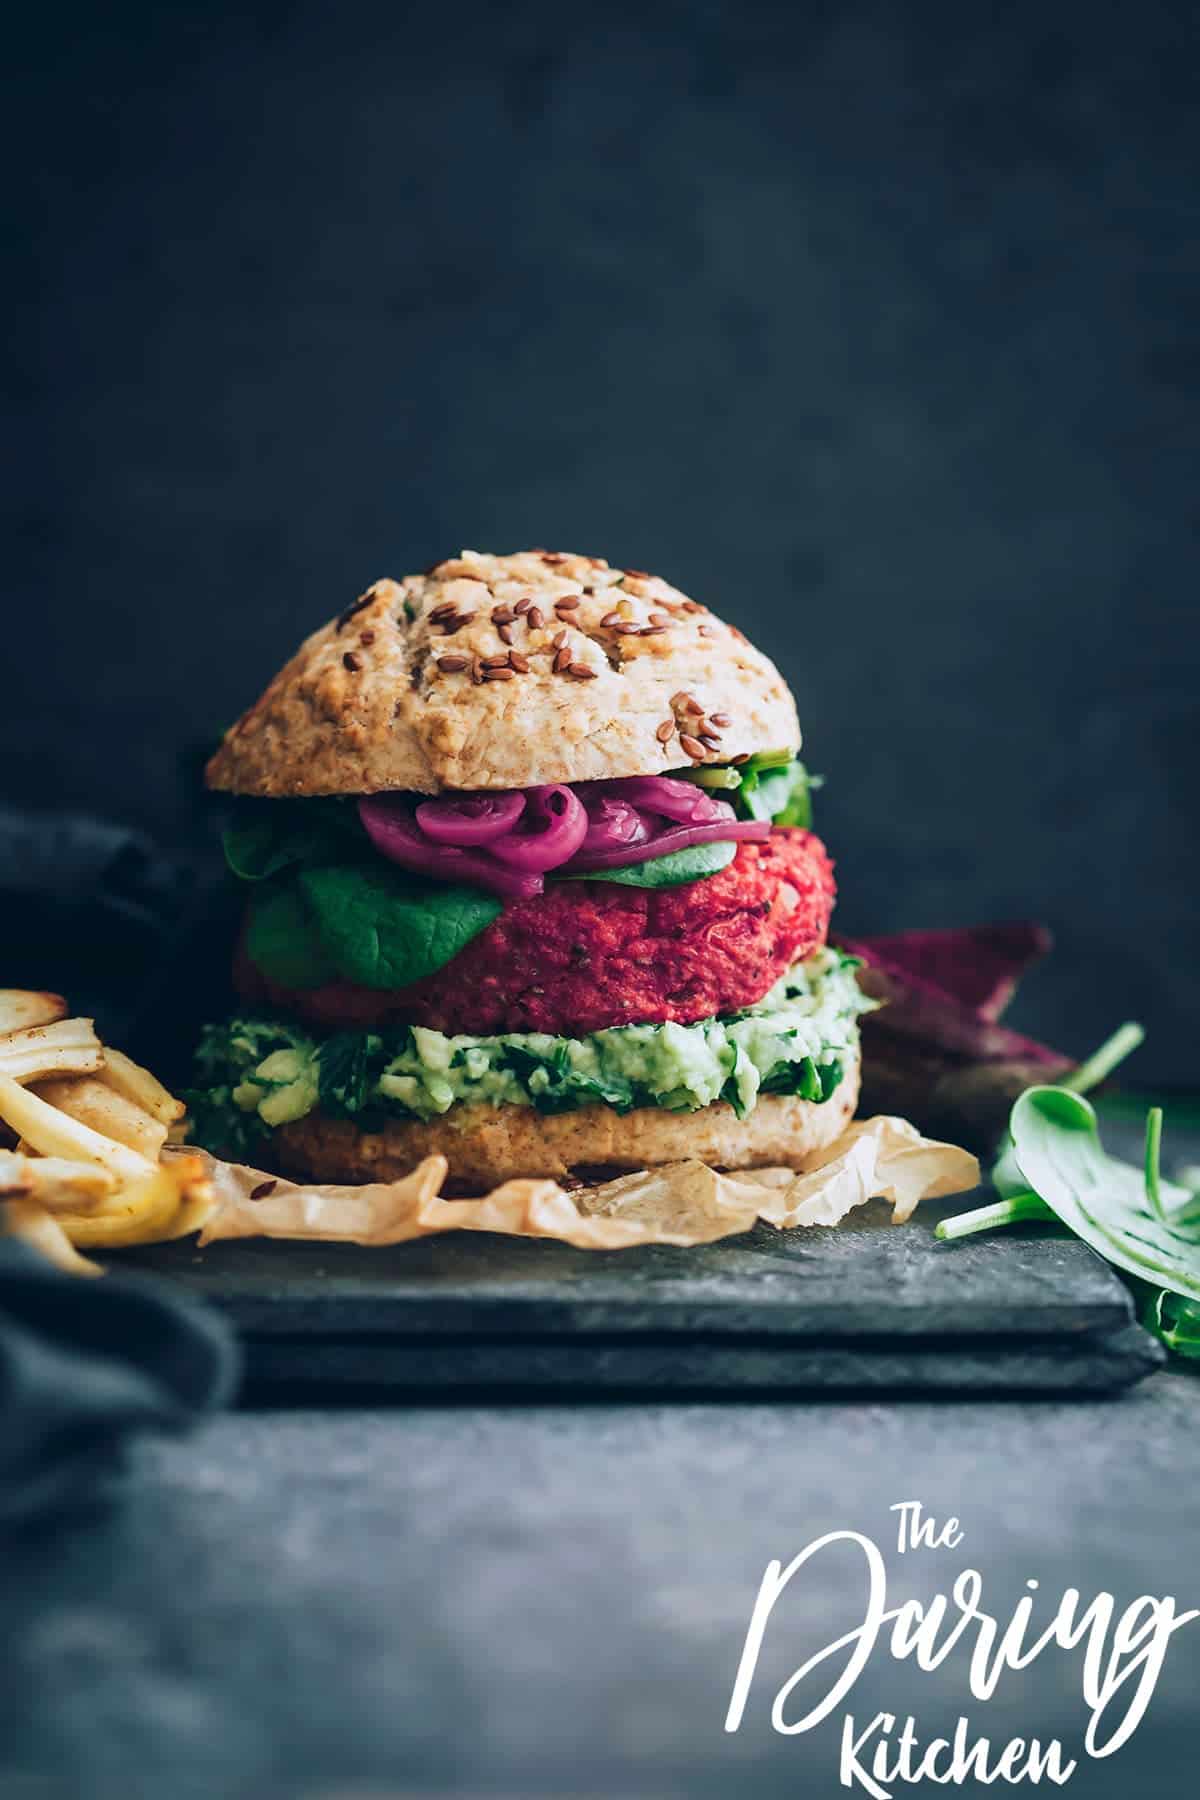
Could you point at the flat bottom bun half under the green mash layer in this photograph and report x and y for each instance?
(487, 1146)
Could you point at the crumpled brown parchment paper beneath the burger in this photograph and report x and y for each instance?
(683, 1203)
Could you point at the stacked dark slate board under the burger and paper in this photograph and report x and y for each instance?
(866, 1306)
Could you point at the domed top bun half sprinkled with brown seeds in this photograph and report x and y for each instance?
(506, 672)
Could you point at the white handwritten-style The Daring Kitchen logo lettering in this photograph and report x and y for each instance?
(1122, 1662)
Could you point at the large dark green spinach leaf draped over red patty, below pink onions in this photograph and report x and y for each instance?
(388, 930)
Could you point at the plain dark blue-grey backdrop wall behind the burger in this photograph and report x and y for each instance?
(877, 327)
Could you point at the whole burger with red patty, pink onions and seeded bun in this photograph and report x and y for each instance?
(532, 885)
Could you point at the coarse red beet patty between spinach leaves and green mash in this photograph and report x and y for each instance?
(591, 955)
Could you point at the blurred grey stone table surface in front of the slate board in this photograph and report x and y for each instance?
(551, 1601)
